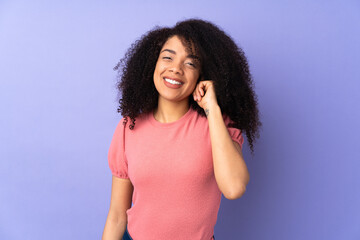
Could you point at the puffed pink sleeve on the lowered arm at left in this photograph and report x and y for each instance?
(116, 156)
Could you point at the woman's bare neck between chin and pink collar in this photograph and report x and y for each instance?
(167, 111)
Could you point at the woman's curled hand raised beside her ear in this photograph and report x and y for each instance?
(204, 94)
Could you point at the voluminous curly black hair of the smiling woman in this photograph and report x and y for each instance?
(221, 60)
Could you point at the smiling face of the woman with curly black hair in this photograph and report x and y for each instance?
(176, 72)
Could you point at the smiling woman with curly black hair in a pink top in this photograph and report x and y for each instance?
(190, 92)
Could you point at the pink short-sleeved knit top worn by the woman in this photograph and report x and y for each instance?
(171, 168)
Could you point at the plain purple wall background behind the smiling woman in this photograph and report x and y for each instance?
(58, 114)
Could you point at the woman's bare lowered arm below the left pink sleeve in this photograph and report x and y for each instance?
(121, 197)
